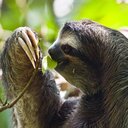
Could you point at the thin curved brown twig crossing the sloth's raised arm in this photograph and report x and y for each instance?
(13, 102)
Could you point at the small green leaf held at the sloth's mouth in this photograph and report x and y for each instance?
(48, 63)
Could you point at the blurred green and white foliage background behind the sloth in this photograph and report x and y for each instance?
(47, 16)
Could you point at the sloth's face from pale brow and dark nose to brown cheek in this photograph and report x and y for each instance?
(68, 52)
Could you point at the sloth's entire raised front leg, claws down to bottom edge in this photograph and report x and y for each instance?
(41, 101)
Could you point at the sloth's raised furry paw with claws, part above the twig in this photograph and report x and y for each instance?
(19, 58)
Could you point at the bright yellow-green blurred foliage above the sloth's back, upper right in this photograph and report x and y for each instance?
(108, 12)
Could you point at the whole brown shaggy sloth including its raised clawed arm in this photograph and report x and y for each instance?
(90, 56)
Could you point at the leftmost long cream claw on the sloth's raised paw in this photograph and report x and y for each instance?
(27, 51)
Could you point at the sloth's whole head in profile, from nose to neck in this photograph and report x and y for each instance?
(79, 52)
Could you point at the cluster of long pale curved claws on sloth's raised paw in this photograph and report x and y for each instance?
(29, 42)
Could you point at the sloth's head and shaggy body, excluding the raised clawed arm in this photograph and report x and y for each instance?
(94, 58)
